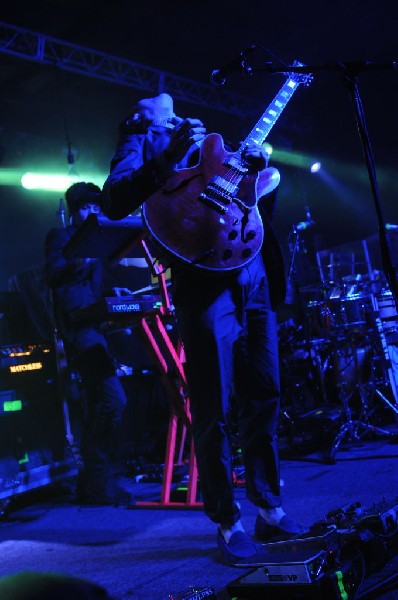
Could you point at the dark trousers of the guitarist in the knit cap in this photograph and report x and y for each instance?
(230, 338)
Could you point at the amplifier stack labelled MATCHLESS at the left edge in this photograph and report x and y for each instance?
(33, 444)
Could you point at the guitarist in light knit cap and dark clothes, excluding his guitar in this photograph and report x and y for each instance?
(228, 326)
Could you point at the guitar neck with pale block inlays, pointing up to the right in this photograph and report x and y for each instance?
(266, 122)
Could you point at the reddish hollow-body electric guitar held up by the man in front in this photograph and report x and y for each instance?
(207, 216)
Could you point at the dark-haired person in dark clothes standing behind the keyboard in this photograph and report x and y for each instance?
(77, 283)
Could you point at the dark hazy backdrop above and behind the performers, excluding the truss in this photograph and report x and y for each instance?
(44, 107)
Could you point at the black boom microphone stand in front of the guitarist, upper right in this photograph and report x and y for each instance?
(351, 71)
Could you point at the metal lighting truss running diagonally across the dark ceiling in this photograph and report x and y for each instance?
(43, 49)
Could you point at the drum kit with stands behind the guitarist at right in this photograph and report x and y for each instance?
(339, 370)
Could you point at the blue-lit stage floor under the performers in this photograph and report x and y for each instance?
(157, 554)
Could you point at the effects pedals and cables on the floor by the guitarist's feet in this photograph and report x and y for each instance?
(329, 562)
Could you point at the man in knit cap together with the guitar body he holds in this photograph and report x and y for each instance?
(209, 211)
